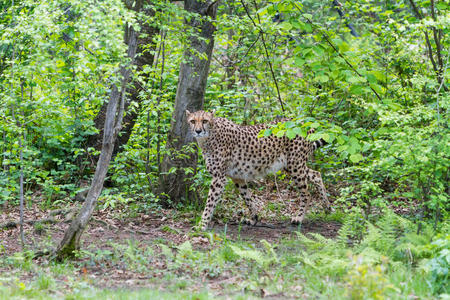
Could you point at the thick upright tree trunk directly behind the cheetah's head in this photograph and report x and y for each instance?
(190, 95)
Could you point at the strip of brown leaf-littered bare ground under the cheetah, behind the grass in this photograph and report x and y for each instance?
(46, 227)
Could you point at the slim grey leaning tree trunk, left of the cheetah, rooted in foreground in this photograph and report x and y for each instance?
(113, 123)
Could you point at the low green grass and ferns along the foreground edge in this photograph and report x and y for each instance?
(383, 258)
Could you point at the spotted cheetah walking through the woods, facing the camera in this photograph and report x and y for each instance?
(236, 151)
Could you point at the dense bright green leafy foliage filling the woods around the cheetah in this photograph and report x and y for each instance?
(370, 76)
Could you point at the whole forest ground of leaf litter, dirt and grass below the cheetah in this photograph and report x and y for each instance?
(130, 254)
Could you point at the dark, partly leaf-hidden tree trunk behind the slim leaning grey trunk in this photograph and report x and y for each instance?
(144, 56)
